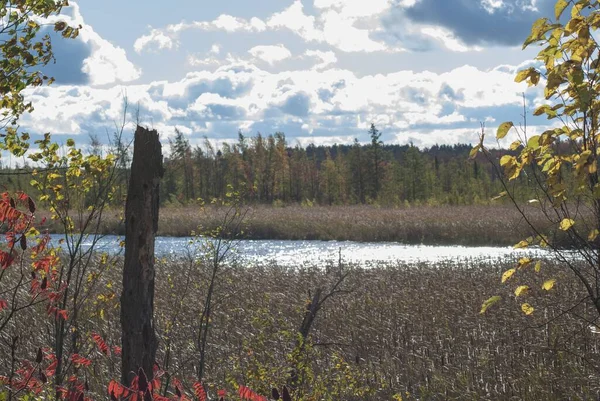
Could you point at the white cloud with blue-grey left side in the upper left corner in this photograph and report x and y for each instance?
(88, 59)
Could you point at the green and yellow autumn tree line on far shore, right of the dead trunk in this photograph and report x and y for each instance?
(266, 169)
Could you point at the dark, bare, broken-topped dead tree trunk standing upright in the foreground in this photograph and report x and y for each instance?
(138, 337)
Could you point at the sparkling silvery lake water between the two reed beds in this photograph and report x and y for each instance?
(322, 253)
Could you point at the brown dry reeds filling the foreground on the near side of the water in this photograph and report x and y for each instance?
(405, 331)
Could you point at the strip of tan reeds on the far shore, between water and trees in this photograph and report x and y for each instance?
(430, 225)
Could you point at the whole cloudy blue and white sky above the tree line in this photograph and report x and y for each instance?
(321, 71)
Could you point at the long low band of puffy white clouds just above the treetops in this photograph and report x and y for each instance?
(325, 104)
